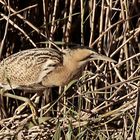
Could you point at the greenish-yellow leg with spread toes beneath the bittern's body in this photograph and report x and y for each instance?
(21, 107)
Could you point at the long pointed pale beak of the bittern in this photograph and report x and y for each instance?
(97, 56)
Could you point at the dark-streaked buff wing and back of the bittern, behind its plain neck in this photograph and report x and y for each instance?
(27, 68)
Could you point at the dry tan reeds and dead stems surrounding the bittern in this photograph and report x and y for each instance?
(104, 102)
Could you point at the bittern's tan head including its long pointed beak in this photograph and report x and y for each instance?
(84, 55)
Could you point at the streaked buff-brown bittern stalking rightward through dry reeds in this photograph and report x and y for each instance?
(39, 68)
